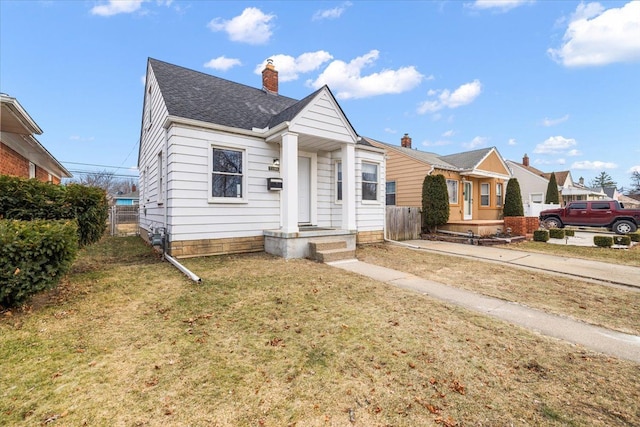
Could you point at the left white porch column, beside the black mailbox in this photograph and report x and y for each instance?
(289, 173)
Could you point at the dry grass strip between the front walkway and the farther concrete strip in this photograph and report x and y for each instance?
(608, 306)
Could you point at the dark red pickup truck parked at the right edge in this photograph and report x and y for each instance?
(594, 213)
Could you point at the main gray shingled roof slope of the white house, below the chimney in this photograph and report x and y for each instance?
(194, 95)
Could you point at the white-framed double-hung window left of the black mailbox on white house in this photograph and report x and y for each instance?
(227, 176)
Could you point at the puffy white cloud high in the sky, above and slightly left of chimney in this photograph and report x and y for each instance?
(252, 26)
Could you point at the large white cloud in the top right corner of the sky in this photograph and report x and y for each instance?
(596, 36)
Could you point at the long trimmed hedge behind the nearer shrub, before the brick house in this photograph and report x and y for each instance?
(30, 199)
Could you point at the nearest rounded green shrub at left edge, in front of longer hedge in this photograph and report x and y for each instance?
(34, 255)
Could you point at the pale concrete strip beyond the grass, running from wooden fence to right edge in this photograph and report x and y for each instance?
(585, 269)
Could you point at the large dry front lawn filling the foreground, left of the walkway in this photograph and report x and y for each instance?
(268, 342)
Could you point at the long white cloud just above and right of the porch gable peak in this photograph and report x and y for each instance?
(347, 81)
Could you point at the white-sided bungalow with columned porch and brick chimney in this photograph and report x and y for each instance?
(228, 168)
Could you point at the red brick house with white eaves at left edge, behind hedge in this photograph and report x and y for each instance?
(20, 152)
